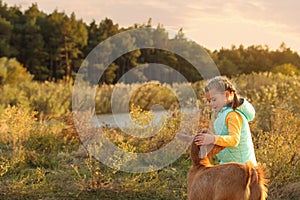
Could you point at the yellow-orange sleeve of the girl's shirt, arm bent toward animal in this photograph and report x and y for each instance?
(234, 123)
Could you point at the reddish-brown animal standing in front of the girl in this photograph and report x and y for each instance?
(232, 181)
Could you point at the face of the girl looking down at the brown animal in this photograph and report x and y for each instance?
(217, 100)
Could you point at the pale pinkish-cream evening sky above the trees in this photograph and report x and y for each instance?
(211, 23)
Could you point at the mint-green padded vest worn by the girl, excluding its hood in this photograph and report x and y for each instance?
(244, 150)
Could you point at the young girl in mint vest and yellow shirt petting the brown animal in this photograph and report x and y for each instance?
(231, 124)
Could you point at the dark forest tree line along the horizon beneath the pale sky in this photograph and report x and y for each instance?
(53, 46)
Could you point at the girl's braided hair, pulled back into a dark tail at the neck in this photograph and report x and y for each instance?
(222, 84)
